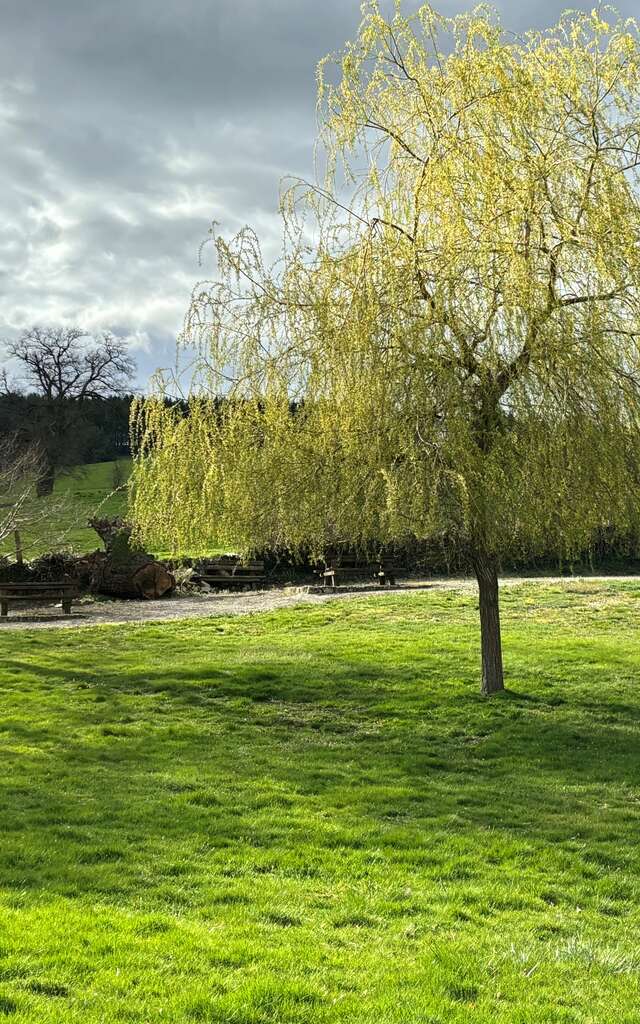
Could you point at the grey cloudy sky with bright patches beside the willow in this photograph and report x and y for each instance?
(127, 126)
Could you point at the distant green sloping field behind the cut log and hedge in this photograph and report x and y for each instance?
(80, 493)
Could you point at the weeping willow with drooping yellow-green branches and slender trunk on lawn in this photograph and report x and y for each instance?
(449, 345)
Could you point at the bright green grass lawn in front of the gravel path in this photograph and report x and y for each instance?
(313, 817)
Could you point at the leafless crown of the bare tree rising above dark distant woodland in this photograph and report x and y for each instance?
(66, 363)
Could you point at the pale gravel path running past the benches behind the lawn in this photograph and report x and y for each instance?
(101, 613)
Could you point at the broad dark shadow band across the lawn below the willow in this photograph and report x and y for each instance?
(248, 761)
